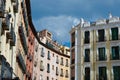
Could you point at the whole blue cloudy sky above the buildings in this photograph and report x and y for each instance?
(58, 16)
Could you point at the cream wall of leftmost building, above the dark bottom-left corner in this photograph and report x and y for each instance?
(8, 33)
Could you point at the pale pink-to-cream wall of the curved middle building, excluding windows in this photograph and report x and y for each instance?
(40, 72)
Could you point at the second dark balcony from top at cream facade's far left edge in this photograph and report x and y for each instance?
(6, 22)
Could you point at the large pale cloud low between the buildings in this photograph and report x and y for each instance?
(58, 25)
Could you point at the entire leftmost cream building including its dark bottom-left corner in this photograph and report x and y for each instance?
(8, 34)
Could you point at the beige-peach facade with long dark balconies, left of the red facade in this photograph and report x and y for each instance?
(22, 40)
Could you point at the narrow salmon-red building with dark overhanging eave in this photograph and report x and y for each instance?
(30, 44)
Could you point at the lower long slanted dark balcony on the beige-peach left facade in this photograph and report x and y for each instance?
(21, 62)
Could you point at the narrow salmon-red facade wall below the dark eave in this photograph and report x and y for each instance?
(30, 55)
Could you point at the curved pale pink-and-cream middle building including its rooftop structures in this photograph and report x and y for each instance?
(51, 60)
